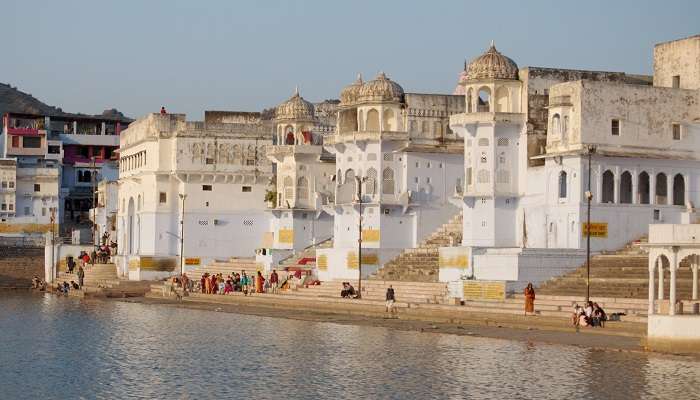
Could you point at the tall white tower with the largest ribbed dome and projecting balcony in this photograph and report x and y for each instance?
(491, 126)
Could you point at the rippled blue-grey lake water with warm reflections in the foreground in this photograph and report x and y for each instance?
(52, 347)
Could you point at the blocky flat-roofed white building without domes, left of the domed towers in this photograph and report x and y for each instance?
(211, 174)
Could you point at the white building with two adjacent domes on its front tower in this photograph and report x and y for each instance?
(399, 148)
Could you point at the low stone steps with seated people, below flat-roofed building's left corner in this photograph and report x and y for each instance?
(101, 280)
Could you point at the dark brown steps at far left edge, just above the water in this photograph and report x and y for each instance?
(18, 265)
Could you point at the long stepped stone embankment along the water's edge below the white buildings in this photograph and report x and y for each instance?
(425, 318)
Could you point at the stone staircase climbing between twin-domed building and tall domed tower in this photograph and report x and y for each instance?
(421, 264)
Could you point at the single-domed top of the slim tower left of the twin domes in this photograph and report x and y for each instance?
(294, 120)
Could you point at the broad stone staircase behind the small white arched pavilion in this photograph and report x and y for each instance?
(619, 274)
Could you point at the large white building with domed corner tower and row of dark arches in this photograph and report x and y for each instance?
(529, 135)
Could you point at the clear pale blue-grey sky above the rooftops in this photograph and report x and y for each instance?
(190, 56)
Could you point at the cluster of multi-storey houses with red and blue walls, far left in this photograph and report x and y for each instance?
(81, 150)
